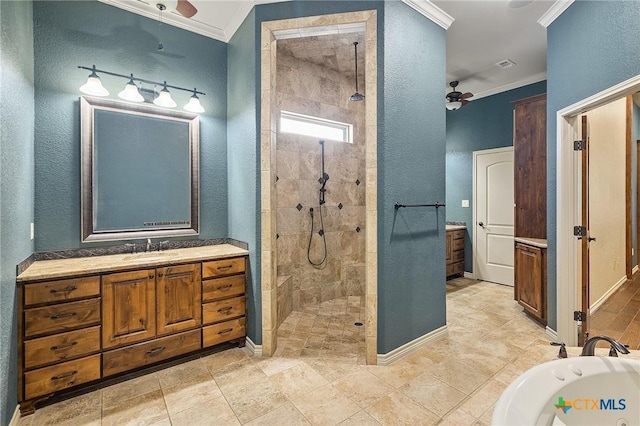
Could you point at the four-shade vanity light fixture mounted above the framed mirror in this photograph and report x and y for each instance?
(131, 91)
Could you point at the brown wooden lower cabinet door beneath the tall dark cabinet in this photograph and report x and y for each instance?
(528, 277)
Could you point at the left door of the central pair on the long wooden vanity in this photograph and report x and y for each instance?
(128, 307)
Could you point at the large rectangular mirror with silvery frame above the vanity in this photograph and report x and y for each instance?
(139, 171)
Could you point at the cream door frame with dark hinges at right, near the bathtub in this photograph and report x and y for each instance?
(568, 212)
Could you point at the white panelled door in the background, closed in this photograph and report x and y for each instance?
(493, 215)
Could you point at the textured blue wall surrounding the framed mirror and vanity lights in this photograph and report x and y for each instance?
(68, 34)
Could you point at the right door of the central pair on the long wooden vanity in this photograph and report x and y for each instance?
(178, 296)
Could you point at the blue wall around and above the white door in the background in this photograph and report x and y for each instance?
(483, 124)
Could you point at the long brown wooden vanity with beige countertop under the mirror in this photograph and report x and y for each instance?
(82, 321)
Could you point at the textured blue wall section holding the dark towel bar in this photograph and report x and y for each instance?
(411, 168)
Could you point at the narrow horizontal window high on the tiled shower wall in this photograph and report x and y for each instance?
(321, 128)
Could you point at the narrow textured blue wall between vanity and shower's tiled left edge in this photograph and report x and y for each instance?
(242, 158)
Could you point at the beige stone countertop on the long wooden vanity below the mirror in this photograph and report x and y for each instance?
(59, 268)
